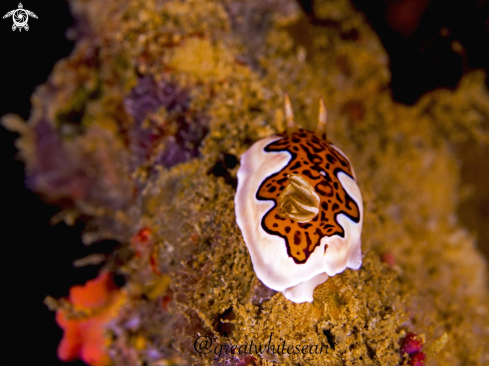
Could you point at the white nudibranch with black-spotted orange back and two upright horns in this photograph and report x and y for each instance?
(299, 209)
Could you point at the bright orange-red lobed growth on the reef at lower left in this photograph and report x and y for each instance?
(84, 338)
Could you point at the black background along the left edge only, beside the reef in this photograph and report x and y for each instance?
(36, 257)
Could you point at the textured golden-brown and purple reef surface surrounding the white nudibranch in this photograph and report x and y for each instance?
(139, 133)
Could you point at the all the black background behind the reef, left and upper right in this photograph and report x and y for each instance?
(37, 257)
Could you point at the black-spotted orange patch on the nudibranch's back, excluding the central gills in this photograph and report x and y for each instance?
(318, 162)
